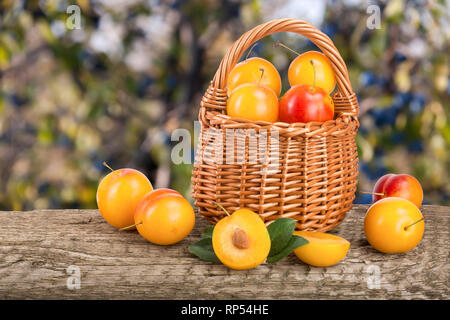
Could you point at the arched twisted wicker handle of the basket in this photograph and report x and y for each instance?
(321, 40)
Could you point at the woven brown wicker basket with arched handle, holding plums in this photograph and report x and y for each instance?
(314, 180)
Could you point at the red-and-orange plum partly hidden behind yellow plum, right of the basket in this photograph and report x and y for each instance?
(398, 185)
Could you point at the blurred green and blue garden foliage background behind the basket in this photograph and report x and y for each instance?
(114, 89)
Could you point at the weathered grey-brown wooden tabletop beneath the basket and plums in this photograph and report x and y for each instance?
(75, 254)
